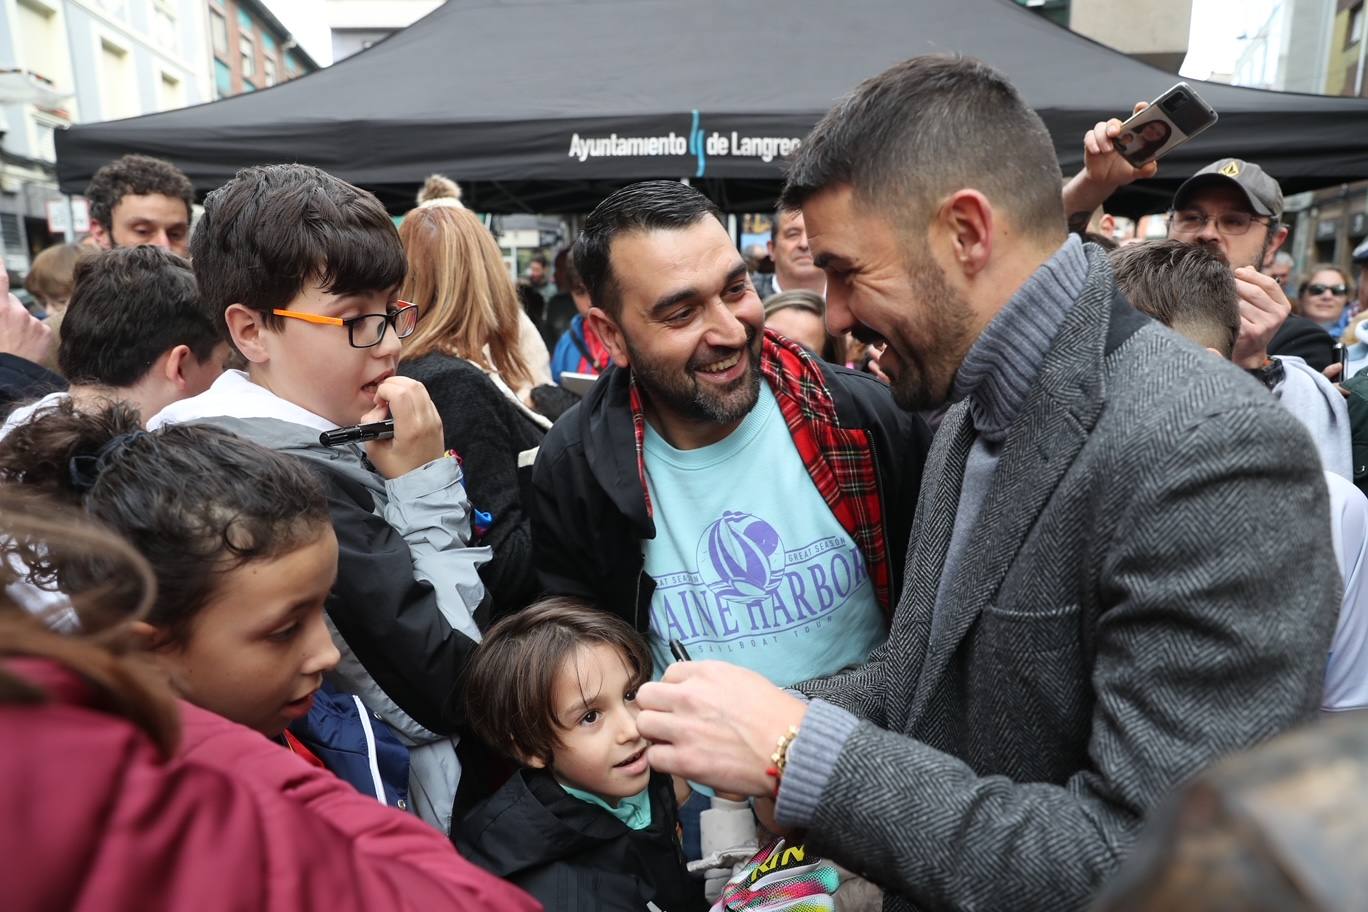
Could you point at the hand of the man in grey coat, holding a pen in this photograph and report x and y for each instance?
(716, 724)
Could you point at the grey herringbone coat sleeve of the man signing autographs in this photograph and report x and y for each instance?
(1217, 594)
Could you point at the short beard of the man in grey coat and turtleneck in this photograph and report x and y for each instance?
(927, 377)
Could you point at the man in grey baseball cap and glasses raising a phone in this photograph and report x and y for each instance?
(1235, 210)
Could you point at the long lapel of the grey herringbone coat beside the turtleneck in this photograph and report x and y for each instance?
(1042, 445)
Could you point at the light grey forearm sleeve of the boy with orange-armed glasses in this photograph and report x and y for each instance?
(429, 508)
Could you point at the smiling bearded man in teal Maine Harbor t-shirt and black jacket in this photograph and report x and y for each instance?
(720, 486)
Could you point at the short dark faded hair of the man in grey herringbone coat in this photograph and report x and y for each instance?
(924, 129)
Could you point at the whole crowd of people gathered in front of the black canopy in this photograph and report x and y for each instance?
(966, 560)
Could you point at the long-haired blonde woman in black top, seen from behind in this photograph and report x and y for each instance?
(467, 353)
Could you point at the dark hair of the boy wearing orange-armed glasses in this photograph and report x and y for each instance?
(273, 229)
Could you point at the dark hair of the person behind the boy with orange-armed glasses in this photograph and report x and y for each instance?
(129, 307)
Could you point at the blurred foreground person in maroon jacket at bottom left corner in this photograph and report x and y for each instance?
(118, 796)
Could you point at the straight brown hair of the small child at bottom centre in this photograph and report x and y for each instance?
(511, 680)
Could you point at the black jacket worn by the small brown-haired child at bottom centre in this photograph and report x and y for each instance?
(574, 857)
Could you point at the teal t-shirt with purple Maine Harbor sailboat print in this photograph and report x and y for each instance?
(750, 564)
